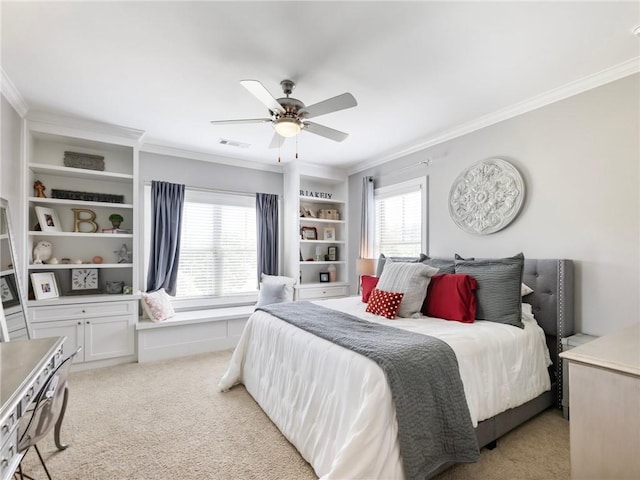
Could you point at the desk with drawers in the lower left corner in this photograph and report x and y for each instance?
(24, 368)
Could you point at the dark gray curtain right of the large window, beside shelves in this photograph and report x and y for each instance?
(267, 230)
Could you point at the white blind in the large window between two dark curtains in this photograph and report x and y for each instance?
(218, 245)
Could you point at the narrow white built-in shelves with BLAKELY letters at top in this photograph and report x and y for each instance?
(316, 231)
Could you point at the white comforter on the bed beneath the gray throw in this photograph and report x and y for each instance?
(335, 405)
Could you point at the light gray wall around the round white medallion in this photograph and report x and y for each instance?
(580, 161)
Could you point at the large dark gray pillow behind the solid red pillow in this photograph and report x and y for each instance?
(499, 282)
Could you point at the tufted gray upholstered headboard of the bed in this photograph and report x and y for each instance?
(552, 304)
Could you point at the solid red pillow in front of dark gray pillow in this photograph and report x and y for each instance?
(451, 296)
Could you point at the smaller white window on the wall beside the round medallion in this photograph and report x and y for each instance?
(401, 219)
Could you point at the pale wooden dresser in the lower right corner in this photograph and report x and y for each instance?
(604, 380)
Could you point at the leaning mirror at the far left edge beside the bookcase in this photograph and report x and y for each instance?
(13, 324)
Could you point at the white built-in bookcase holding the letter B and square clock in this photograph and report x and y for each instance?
(75, 180)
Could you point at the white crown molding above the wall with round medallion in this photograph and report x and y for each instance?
(590, 82)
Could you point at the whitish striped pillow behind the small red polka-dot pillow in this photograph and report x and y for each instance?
(412, 279)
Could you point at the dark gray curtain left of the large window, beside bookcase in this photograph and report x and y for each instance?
(167, 201)
